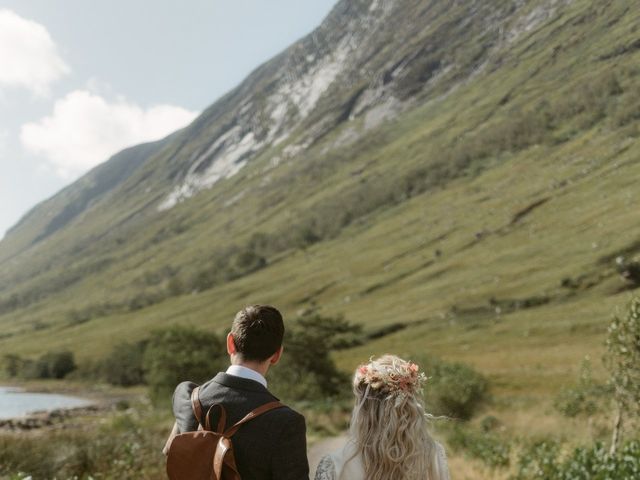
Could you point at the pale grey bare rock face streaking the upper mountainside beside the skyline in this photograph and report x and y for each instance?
(275, 104)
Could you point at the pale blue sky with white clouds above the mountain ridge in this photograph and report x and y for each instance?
(81, 80)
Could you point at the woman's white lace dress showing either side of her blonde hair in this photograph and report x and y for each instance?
(346, 464)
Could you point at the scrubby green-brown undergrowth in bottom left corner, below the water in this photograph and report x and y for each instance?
(121, 446)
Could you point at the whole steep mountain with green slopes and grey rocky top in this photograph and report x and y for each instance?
(458, 175)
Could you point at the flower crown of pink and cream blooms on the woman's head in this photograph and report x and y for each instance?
(395, 376)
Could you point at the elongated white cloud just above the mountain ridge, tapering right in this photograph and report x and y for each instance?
(85, 129)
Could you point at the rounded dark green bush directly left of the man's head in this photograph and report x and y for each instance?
(177, 354)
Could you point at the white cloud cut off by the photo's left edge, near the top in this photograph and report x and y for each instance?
(28, 56)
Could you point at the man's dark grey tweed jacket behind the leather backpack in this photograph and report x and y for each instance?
(269, 447)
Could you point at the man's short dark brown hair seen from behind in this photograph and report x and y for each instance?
(257, 332)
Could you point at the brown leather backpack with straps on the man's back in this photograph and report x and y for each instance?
(208, 454)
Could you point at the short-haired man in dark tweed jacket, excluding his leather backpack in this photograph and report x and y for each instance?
(273, 445)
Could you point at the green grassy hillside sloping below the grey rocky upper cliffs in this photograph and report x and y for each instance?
(483, 222)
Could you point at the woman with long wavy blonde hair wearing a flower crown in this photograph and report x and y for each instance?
(388, 438)
